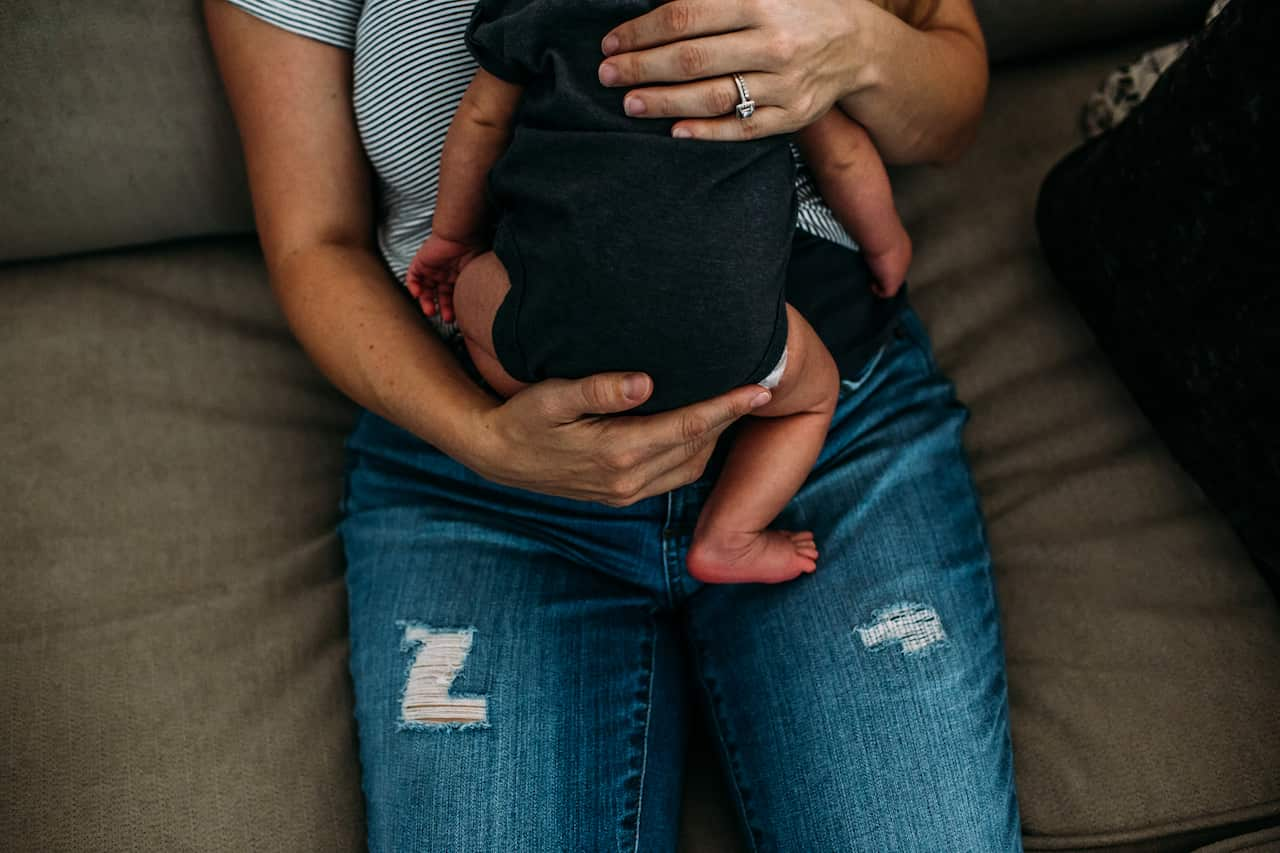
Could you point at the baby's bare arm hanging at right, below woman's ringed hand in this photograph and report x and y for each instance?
(852, 177)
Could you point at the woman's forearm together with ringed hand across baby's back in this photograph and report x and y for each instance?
(920, 93)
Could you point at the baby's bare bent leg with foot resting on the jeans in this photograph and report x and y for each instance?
(770, 460)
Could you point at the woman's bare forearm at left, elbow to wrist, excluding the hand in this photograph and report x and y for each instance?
(374, 346)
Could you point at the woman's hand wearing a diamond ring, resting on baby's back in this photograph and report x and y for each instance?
(797, 58)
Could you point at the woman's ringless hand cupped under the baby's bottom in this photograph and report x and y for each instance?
(550, 439)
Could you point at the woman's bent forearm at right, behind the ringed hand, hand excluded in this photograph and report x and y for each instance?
(920, 93)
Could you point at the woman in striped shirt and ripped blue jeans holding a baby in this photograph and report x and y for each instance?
(524, 630)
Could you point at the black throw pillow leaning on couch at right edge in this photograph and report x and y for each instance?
(1167, 231)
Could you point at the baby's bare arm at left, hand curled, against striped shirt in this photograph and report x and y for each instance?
(478, 136)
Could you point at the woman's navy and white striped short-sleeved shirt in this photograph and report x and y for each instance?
(412, 67)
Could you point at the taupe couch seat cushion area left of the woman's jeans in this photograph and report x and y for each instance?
(173, 624)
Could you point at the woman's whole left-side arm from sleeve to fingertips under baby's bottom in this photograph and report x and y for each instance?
(313, 202)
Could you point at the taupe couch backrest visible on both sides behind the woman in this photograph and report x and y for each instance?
(115, 130)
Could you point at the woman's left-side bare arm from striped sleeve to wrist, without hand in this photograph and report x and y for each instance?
(314, 209)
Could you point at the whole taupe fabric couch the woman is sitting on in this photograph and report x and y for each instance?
(172, 619)
